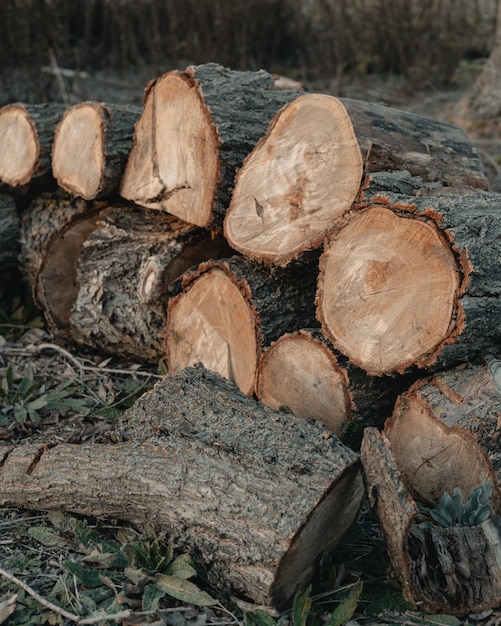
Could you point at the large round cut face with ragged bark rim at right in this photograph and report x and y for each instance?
(388, 290)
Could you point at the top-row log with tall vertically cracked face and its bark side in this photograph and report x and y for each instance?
(195, 130)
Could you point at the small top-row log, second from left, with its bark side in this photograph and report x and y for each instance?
(91, 147)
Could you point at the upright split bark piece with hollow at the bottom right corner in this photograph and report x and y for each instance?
(452, 570)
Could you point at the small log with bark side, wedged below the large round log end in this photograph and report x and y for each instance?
(302, 371)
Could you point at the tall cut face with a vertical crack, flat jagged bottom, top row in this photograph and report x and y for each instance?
(174, 165)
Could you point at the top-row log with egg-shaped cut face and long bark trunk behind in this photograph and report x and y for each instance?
(306, 172)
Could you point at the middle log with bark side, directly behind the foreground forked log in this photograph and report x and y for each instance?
(230, 309)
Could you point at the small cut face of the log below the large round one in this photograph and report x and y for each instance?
(303, 374)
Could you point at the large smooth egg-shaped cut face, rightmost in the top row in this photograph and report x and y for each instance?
(301, 177)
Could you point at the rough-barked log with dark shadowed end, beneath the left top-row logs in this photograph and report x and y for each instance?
(102, 275)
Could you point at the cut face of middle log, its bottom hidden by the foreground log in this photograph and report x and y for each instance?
(212, 323)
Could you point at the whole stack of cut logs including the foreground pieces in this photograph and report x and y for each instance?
(336, 257)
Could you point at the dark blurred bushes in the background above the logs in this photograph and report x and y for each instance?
(423, 40)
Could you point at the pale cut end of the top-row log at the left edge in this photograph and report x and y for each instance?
(20, 149)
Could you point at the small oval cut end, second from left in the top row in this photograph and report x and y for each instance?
(78, 158)
